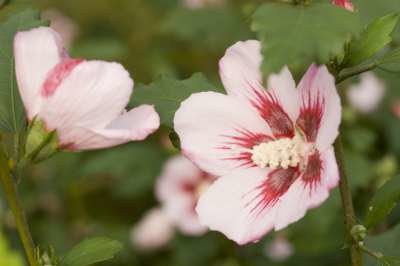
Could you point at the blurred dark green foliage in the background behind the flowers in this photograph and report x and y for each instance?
(75, 195)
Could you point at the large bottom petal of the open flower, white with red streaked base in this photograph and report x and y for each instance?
(243, 204)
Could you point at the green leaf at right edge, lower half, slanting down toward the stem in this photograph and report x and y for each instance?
(383, 202)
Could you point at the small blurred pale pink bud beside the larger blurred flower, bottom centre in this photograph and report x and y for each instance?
(154, 231)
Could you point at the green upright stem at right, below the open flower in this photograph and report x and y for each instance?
(347, 202)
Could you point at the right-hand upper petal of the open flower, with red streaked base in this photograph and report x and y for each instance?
(320, 111)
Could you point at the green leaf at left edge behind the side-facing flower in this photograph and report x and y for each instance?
(12, 118)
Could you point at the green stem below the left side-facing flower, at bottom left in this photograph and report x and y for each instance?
(11, 193)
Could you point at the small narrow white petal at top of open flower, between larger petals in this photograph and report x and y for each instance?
(283, 87)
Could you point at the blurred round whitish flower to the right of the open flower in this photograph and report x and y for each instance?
(367, 94)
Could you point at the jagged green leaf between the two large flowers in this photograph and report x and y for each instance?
(166, 94)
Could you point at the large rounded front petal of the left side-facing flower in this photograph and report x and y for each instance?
(92, 95)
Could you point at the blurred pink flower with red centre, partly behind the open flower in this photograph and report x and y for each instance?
(178, 189)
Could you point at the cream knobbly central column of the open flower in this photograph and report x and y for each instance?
(282, 153)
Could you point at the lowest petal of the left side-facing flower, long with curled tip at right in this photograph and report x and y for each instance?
(134, 125)
